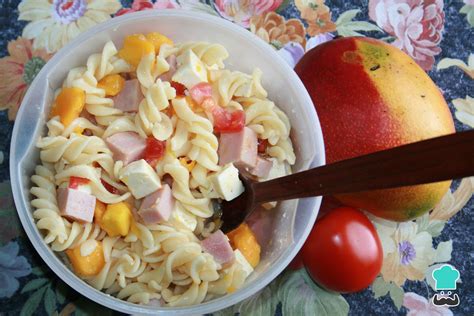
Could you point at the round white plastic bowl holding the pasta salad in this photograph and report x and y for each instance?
(246, 52)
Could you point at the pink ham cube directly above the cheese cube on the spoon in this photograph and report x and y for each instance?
(239, 148)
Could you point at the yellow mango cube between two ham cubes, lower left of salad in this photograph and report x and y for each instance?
(117, 219)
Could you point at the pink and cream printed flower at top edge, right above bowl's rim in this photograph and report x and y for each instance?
(241, 11)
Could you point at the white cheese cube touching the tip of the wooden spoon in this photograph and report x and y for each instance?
(226, 182)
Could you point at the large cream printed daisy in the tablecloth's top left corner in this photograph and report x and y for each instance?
(54, 23)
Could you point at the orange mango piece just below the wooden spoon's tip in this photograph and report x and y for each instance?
(244, 239)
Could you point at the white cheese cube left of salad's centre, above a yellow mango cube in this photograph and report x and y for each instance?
(140, 178)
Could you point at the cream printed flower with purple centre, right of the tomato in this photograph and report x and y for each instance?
(407, 252)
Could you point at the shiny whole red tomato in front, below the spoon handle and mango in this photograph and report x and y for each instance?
(343, 252)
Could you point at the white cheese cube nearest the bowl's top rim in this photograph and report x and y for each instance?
(191, 70)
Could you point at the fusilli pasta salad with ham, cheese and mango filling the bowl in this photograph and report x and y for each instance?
(142, 144)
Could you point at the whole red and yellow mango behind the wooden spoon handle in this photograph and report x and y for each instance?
(371, 96)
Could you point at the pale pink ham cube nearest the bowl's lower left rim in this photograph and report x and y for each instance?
(76, 205)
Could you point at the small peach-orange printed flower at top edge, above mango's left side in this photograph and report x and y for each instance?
(317, 15)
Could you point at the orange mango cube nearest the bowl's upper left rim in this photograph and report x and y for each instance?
(69, 104)
